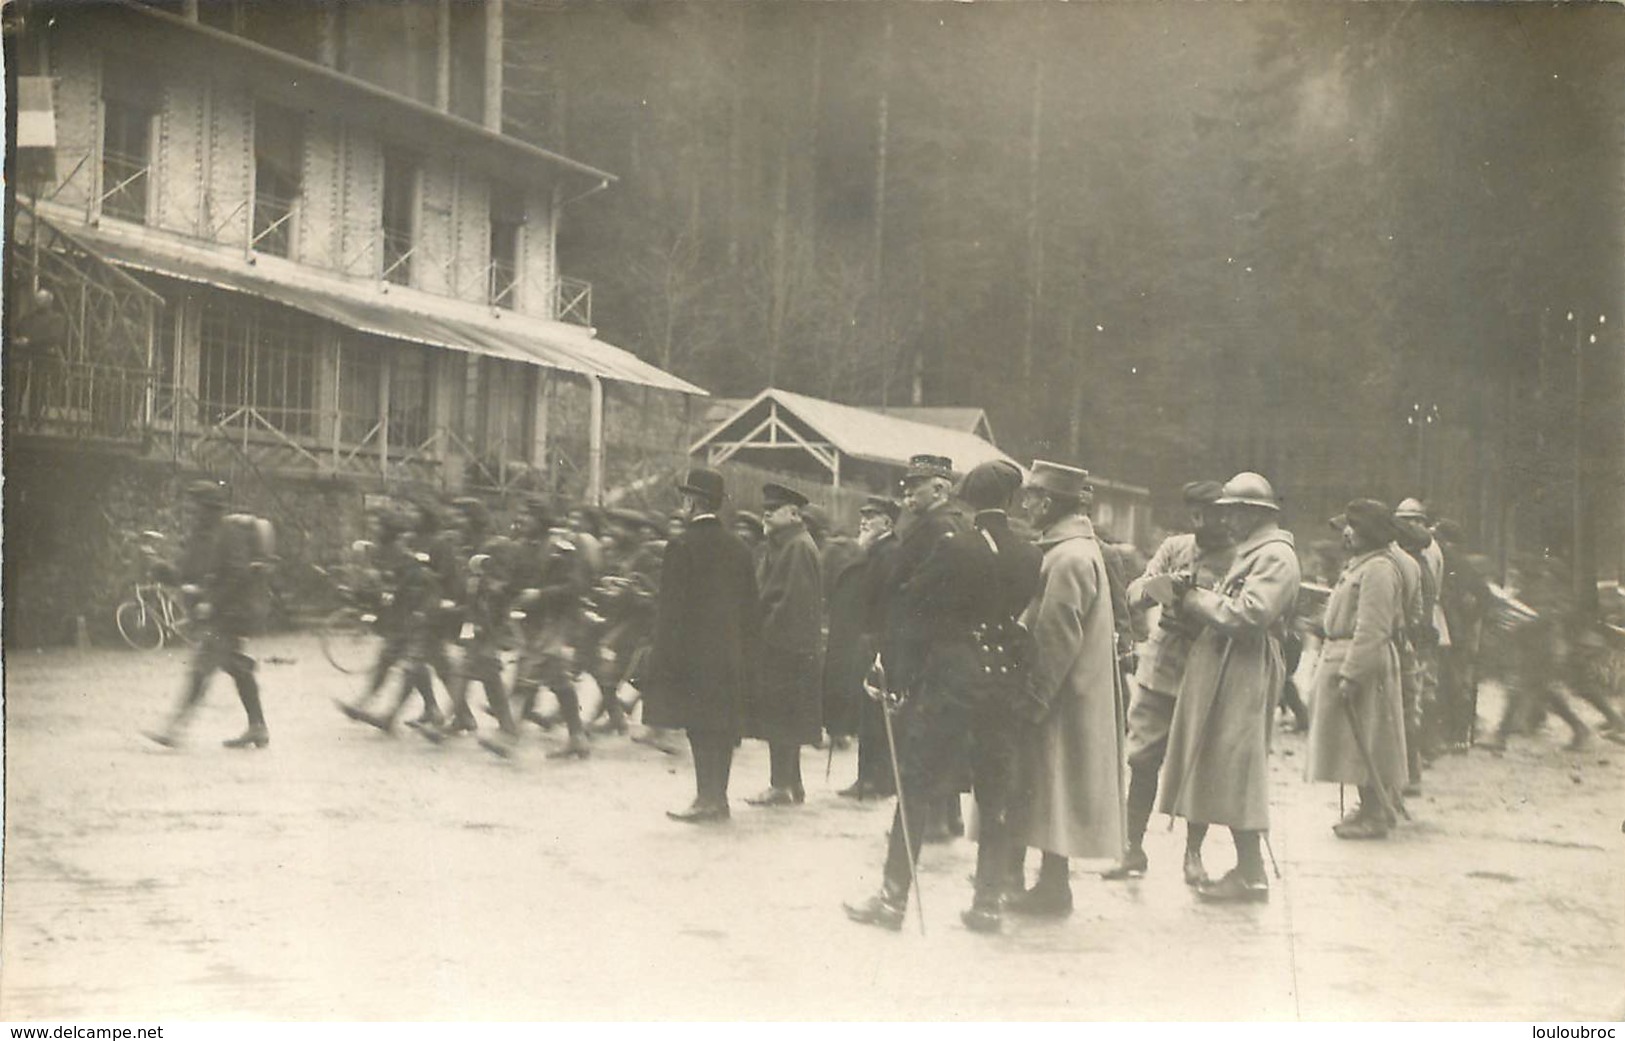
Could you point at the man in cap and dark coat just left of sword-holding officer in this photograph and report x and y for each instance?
(857, 623)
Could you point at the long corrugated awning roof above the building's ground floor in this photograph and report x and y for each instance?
(514, 337)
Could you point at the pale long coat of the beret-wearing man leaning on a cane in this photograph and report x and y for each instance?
(1364, 620)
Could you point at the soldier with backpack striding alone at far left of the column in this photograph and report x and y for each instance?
(217, 574)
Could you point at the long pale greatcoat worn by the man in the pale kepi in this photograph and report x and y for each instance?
(1070, 769)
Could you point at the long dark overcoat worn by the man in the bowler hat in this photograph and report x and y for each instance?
(706, 633)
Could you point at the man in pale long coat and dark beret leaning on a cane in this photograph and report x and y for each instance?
(1358, 733)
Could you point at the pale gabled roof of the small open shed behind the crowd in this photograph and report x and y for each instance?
(872, 436)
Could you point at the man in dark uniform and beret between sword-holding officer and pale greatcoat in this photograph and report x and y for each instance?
(1012, 568)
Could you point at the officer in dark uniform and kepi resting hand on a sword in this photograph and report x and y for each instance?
(929, 657)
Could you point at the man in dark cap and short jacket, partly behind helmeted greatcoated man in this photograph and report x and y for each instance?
(1200, 558)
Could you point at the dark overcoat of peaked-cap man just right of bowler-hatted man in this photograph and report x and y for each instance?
(786, 704)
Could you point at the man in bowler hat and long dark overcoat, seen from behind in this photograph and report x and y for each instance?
(706, 634)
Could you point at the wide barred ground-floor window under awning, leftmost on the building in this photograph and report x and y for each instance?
(258, 366)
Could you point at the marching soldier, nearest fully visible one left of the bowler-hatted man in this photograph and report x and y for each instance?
(553, 579)
